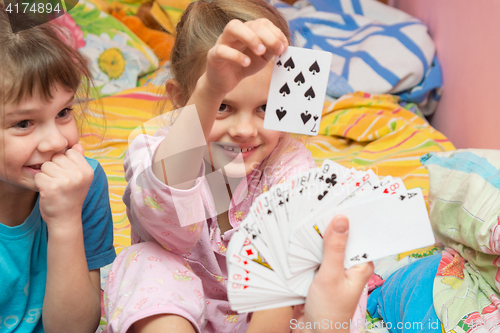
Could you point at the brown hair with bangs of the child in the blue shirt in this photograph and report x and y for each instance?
(35, 57)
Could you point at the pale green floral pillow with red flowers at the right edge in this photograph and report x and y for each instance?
(464, 201)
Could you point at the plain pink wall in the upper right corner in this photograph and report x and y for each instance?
(467, 37)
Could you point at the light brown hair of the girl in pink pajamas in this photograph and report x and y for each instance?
(197, 32)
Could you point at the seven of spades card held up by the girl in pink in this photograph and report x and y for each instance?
(297, 91)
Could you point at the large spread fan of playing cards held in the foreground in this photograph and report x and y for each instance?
(274, 255)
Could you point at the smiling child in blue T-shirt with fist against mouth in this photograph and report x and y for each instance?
(55, 220)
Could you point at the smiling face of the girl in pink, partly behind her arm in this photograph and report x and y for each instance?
(239, 123)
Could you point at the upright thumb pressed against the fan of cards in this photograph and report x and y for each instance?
(334, 244)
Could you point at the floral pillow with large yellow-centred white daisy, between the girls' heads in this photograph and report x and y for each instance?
(116, 56)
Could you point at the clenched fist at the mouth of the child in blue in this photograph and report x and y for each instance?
(63, 184)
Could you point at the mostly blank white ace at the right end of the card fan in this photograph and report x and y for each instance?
(385, 226)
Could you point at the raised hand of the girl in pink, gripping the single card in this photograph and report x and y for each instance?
(241, 50)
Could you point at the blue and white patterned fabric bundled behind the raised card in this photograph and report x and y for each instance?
(377, 49)
